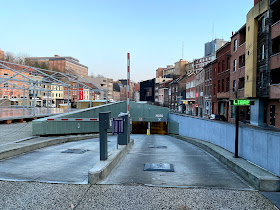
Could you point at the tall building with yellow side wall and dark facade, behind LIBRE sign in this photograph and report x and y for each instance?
(257, 76)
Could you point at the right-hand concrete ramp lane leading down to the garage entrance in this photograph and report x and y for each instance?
(193, 167)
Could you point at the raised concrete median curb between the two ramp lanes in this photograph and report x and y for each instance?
(103, 168)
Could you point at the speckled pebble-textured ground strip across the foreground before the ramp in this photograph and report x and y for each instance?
(31, 195)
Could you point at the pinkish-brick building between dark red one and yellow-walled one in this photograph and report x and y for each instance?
(237, 73)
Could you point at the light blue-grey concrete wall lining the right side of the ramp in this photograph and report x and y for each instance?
(256, 145)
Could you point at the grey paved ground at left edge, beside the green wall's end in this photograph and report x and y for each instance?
(15, 131)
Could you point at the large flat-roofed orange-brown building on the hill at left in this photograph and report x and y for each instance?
(64, 64)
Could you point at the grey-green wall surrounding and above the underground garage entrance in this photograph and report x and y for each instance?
(146, 112)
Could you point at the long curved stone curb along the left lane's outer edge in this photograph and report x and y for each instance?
(45, 143)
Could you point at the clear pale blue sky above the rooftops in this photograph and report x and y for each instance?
(100, 33)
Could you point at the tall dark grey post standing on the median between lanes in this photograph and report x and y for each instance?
(104, 124)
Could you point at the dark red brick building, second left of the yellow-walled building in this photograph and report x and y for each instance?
(221, 81)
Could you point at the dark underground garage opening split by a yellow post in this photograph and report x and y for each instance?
(156, 127)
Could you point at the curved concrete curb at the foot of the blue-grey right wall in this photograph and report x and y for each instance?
(260, 178)
